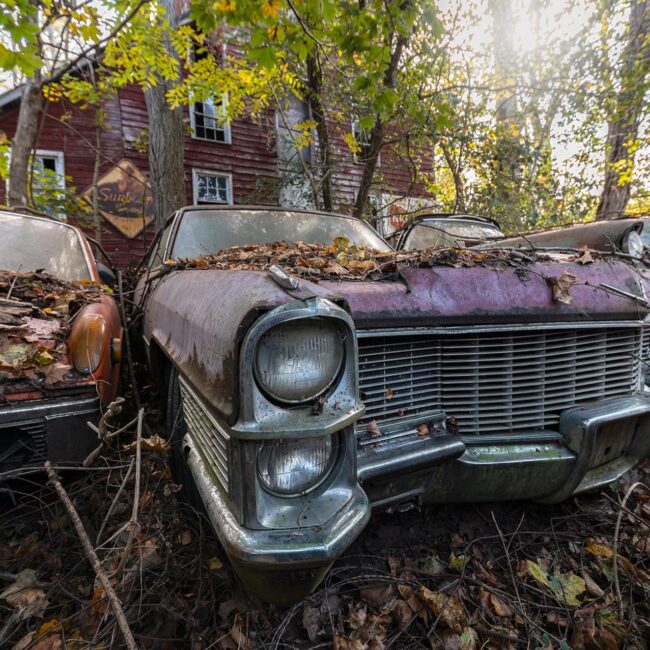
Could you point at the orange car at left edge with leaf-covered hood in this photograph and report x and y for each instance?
(59, 342)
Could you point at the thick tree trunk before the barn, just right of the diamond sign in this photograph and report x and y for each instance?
(166, 147)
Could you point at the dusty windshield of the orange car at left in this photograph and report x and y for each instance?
(28, 244)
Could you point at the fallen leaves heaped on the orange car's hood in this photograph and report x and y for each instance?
(36, 310)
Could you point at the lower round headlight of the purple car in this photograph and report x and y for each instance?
(295, 467)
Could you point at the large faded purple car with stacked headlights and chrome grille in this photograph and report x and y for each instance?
(322, 376)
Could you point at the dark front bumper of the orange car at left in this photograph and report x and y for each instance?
(50, 429)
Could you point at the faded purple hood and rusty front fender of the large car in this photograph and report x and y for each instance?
(199, 317)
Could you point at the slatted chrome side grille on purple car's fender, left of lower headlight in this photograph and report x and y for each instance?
(208, 436)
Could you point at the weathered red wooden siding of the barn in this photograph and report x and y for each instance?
(251, 159)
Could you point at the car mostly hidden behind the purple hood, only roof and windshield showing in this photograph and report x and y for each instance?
(464, 230)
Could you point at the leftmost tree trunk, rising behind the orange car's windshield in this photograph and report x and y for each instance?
(24, 141)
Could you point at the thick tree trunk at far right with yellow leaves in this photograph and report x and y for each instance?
(623, 127)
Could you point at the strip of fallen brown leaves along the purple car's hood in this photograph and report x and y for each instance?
(343, 260)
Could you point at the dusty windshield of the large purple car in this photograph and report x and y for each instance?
(207, 231)
